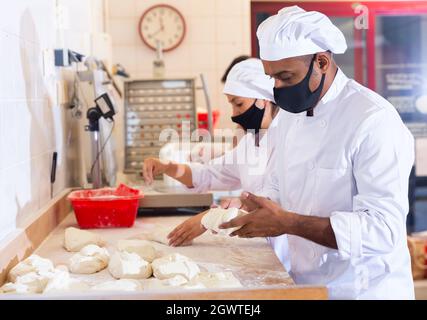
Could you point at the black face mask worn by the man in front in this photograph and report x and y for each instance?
(298, 98)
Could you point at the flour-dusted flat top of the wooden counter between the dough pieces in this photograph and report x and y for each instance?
(252, 261)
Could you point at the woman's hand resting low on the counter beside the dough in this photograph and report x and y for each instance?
(187, 231)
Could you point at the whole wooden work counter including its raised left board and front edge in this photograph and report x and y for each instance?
(252, 261)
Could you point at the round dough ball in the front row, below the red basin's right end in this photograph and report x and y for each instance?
(129, 265)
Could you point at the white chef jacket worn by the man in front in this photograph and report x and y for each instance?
(351, 162)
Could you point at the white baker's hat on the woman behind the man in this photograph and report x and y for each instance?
(248, 79)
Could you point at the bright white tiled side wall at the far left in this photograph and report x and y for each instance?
(32, 124)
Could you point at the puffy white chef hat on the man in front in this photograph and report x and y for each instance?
(294, 32)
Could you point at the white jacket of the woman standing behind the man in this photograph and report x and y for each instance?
(243, 167)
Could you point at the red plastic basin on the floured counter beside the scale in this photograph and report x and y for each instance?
(106, 207)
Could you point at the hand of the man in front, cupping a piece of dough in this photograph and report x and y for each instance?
(269, 220)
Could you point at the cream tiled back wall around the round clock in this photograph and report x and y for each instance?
(209, 46)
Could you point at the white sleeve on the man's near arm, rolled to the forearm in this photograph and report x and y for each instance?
(382, 161)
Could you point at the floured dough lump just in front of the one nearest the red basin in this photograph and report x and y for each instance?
(89, 260)
